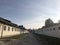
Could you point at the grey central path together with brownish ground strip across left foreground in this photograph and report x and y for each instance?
(29, 39)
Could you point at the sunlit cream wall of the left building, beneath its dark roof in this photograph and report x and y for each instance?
(7, 33)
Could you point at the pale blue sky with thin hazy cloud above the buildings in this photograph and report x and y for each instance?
(30, 13)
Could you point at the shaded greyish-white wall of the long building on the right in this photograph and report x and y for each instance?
(53, 33)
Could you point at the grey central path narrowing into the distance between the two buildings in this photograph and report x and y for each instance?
(29, 40)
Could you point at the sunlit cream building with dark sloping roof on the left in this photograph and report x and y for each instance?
(7, 28)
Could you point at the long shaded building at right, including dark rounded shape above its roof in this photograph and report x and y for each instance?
(50, 29)
